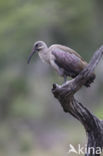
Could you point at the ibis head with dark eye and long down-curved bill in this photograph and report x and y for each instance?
(37, 47)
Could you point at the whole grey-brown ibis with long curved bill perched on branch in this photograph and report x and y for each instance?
(66, 61)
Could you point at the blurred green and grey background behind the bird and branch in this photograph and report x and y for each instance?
(32, 122)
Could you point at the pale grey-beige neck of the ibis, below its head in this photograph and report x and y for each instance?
(44, 55)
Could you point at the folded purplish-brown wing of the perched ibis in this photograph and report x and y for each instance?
(70, 62)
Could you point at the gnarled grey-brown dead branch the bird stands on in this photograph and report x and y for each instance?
(65, 94)
